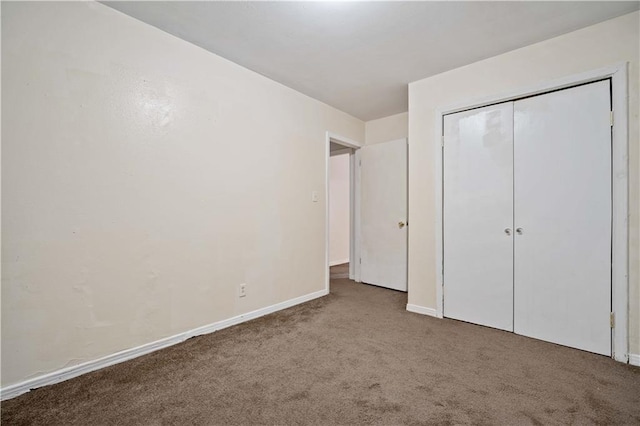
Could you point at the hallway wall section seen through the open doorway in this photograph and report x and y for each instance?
(339, 211)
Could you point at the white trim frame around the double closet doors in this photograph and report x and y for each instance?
(620, 173)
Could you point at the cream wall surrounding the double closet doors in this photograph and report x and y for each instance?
(588, 49)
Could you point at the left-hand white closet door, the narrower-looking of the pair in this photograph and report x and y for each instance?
(478, 216)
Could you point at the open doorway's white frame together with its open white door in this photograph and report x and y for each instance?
(378, 211)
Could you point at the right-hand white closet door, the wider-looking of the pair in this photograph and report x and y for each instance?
(562, 163)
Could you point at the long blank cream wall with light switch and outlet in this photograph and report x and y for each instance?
(144, 179)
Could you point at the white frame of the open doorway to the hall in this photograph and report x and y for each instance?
(354, 204)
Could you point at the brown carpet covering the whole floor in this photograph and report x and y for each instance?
(355, 356)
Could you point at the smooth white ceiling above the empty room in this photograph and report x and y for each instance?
(359, 56)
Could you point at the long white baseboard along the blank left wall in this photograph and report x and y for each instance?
(74, 371)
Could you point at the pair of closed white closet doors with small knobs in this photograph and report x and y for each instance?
(527, 216)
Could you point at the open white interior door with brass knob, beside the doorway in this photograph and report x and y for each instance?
(383, 214)
